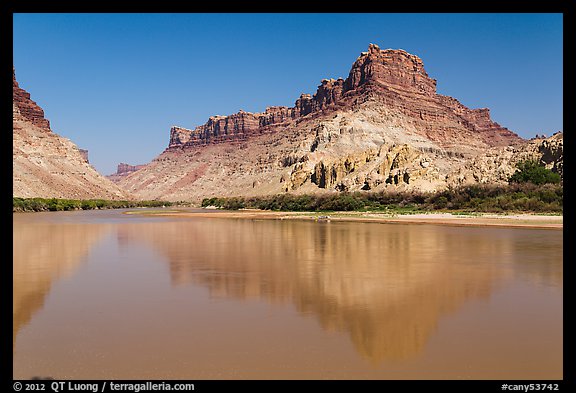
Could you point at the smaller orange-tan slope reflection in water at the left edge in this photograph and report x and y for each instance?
(42, 253)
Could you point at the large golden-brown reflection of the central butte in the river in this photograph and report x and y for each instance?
(383, 284)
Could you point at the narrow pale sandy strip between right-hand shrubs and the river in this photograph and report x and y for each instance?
(484, 219)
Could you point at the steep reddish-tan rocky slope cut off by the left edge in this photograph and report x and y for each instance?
(47, 165)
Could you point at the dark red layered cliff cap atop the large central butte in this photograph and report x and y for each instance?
(396, 78)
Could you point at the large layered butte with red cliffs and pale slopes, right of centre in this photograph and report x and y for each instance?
(384, 126)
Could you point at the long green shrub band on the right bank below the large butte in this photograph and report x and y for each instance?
(513, 197)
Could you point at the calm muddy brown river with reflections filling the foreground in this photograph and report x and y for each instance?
(105, 295)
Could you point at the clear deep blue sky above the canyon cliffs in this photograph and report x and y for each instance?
(115, 83)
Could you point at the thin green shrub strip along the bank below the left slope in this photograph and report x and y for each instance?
(55, 204)
